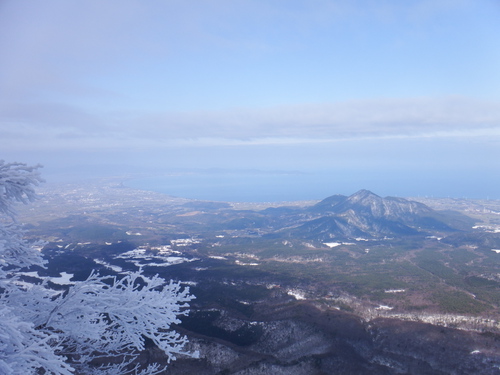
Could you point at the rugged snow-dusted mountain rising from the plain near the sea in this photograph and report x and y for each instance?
(365, 214)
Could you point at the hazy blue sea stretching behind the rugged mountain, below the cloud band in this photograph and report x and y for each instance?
(296, 186)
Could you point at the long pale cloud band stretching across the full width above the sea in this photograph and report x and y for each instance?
(62, 126)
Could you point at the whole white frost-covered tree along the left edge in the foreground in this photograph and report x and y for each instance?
(98, 326)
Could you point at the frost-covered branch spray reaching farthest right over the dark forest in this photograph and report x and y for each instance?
(115, 316)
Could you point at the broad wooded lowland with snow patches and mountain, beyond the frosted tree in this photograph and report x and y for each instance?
(358, 284)
